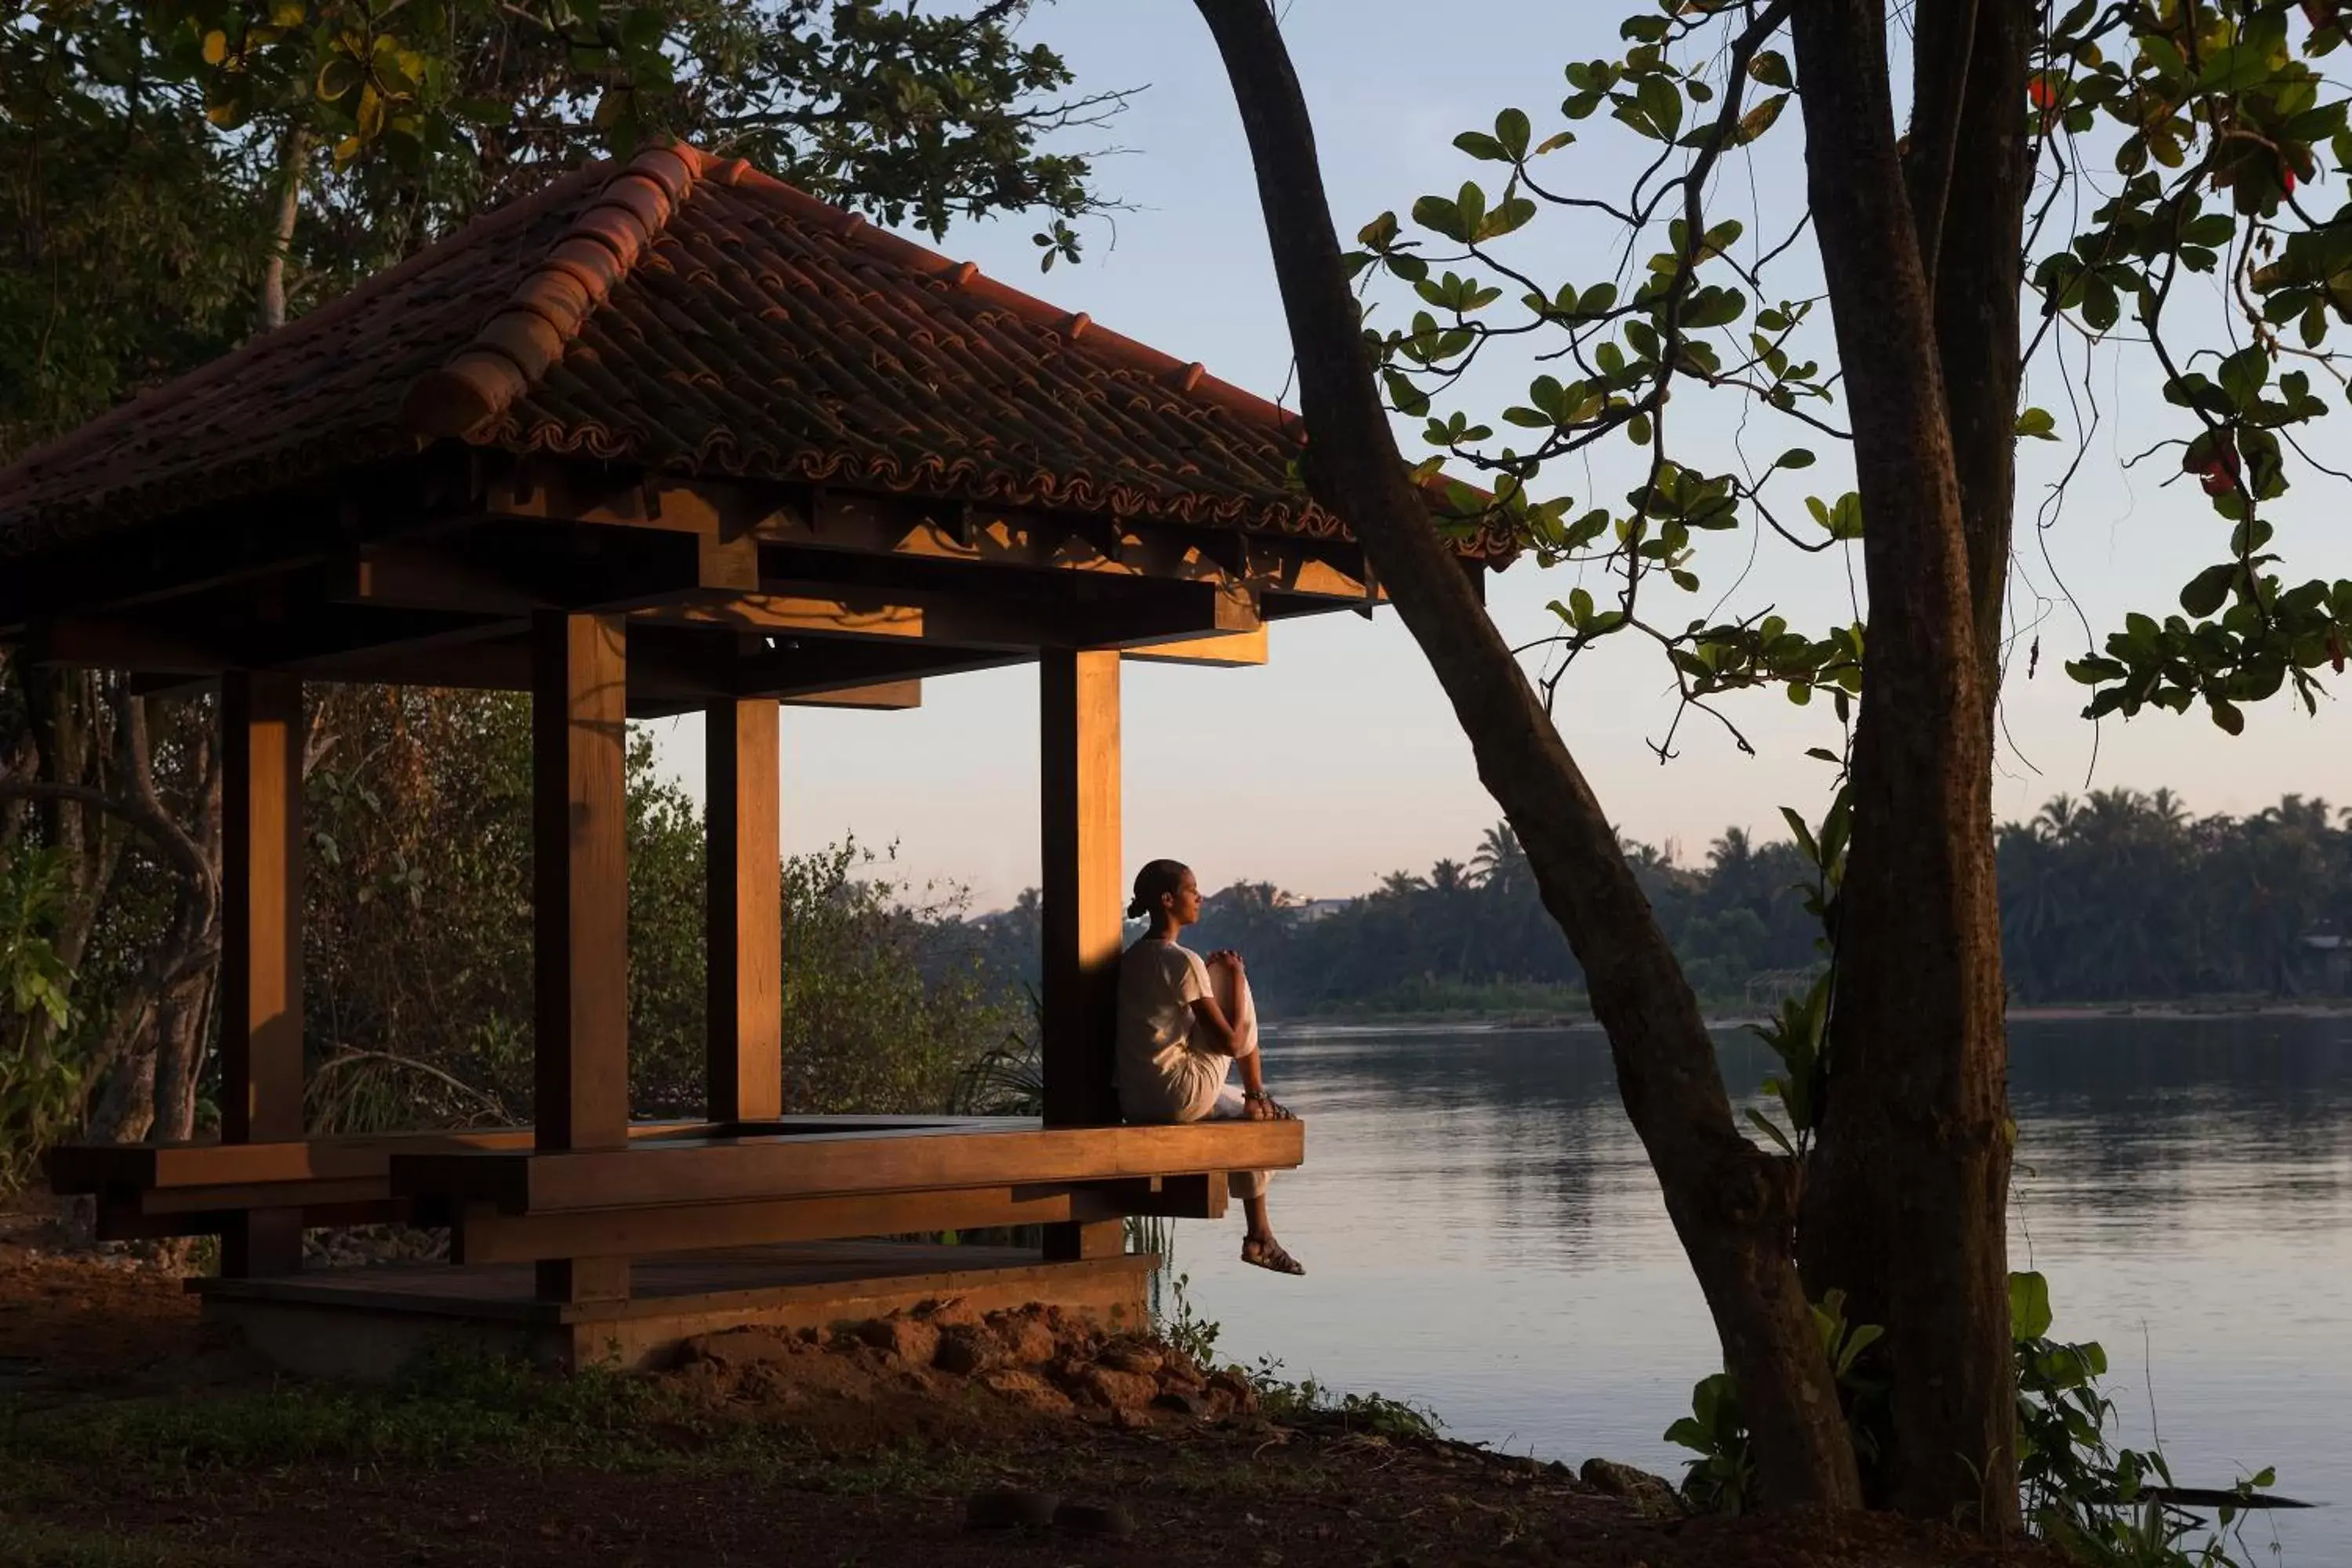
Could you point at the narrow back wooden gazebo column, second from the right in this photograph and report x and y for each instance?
(744, 913)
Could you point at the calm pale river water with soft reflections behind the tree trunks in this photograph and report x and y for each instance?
(1485, 1238)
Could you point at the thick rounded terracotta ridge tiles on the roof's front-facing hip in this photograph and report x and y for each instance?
(533, 330)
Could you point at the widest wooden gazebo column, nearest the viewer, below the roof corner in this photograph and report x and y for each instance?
(580, 918)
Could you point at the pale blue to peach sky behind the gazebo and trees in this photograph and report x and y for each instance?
(1339, 760)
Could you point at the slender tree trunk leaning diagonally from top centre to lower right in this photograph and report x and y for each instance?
(1732, 1205)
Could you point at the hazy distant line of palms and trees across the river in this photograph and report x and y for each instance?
(2104, 897)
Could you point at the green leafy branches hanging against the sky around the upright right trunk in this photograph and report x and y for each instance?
(2229, 149)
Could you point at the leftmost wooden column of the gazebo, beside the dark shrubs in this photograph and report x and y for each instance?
(262, 1076)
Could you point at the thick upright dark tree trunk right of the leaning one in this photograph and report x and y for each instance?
(1909, 1184)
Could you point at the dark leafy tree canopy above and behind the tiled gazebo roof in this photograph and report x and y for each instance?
(178, 166)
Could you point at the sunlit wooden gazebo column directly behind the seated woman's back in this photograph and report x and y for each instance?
(1083, 906)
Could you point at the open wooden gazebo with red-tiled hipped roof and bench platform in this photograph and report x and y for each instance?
(667, 438)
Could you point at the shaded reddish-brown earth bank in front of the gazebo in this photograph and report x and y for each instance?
(135, 1435)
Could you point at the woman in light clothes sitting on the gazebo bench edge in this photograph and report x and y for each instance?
(1184, 1024)
